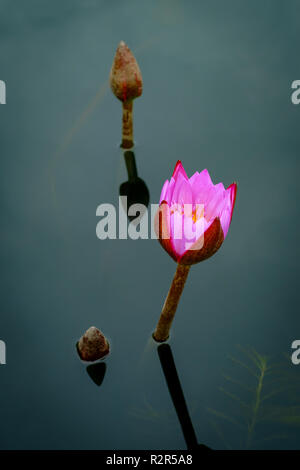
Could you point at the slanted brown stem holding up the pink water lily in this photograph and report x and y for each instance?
(168, 312)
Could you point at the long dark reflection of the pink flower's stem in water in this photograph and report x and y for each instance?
(174, 386)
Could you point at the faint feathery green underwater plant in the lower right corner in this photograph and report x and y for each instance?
(264, 402)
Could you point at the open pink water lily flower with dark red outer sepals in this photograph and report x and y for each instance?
(194, 215)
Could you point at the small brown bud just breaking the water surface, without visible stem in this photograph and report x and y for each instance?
(92, 345)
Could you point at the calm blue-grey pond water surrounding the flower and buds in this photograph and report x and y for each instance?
(217, 86)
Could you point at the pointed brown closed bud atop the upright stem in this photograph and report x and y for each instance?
(125, 76)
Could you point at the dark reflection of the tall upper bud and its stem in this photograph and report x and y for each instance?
(135, 188)
